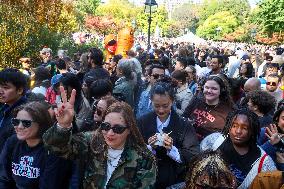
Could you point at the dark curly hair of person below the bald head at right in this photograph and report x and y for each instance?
(264, 101)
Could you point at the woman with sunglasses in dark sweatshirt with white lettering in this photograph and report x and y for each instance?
(24, 162)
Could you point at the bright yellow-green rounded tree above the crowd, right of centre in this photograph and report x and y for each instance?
(225, 21)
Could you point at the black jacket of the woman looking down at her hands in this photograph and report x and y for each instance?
(184, 139)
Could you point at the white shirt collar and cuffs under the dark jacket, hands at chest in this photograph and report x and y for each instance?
(173, 153)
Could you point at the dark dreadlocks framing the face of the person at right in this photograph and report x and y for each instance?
(253, 123)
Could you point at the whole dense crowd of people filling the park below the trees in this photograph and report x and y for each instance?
(180, 115)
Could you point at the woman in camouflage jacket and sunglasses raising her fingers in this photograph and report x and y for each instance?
(115, 155)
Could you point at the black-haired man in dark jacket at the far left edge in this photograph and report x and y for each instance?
(13, 85)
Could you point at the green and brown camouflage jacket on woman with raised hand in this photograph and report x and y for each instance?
(136, 167)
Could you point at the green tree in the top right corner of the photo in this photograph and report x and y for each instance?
(269, 15)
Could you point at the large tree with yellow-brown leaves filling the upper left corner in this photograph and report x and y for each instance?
(26, 26)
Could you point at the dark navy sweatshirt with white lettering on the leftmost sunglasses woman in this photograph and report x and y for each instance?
(25, 167)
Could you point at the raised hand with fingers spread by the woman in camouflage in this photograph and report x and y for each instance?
(65, 111)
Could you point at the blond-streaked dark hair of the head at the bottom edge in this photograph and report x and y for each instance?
(211, 164)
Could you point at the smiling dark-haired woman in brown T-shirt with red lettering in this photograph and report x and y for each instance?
(209, 112)
